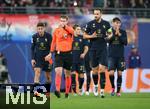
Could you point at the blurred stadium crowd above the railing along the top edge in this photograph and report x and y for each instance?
(79, 3)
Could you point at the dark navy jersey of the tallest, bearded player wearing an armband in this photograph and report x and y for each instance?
(100, 28)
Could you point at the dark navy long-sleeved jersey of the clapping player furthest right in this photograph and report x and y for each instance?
(117, 43)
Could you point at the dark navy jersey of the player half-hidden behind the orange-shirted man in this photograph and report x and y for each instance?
(78, 48)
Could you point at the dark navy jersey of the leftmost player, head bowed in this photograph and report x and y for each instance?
(40, 45)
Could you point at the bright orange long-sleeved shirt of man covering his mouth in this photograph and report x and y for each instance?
(62, 39)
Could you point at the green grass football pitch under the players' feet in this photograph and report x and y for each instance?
(126, 101)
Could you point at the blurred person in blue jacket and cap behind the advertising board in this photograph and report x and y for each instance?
(134, 59)
